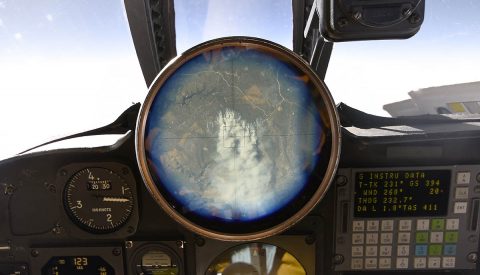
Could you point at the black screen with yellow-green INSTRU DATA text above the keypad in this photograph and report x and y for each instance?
(401, 193)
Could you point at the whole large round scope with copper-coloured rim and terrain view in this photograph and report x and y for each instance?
(237, 139)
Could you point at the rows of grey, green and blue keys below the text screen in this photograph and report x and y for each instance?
(404, 243)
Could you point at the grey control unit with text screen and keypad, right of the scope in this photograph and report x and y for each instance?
(419, 218)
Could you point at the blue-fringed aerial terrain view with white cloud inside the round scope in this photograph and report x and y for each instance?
(233, 134)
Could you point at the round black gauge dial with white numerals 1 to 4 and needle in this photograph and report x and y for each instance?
(98, 199)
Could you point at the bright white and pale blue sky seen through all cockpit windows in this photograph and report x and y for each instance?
(69, 66)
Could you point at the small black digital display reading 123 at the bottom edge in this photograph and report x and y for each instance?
(70, 265)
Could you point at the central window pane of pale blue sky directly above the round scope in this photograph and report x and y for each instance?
(199, 21)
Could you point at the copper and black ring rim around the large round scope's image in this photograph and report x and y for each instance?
(317, 184)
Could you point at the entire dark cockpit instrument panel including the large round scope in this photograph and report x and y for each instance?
(232, 169)
